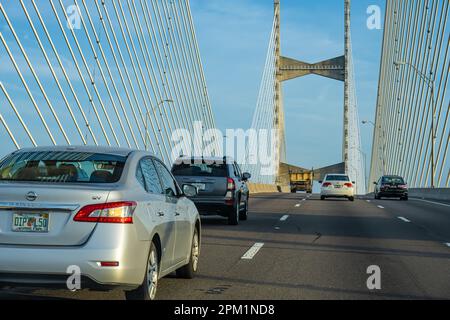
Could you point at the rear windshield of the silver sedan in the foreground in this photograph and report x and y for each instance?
(62, 167)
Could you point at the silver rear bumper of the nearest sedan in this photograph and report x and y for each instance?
(50, 266)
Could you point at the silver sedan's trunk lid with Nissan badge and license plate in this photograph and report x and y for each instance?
(59, 203)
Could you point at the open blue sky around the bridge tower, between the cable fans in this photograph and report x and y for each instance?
(233, 37)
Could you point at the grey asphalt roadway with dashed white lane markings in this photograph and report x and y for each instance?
(312, 249)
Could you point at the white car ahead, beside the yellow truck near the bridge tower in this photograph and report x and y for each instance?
(337, 186)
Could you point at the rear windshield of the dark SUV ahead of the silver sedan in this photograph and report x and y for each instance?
(200, 169)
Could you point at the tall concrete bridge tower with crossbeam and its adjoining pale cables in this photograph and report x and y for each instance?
(270, 102)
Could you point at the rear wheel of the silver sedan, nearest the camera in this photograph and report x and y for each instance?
(147, 290)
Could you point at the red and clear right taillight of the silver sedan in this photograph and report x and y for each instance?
(114, 212)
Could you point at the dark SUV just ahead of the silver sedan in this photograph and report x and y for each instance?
(222, 187)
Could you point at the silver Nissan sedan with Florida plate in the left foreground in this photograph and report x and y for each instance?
(116, 214)
